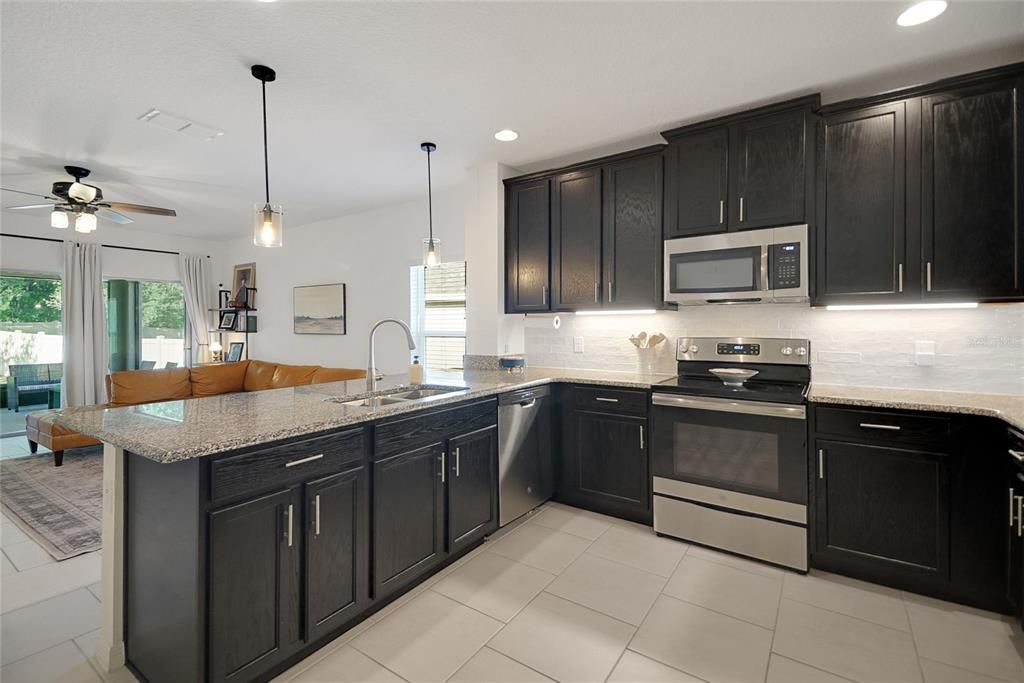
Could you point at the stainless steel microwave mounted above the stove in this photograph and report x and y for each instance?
(754, 267)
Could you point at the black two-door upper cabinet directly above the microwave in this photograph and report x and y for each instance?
(742, 173)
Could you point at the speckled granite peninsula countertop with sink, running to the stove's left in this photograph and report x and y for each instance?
(178, 431)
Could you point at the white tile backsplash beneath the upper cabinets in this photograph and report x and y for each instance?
(979, 350)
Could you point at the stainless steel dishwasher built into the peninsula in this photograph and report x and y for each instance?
(526, 474)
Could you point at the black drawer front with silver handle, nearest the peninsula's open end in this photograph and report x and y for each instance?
(286, 464)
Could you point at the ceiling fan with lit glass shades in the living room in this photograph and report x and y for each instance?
(86, 203)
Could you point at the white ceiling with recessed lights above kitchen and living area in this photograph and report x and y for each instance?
(362, 84)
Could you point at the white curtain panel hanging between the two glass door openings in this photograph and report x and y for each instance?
(84, 318)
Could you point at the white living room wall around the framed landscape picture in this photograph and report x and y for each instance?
(371, 252)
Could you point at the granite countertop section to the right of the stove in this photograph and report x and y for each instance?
(1009, 408)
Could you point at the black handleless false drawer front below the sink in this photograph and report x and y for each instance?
(397, 437)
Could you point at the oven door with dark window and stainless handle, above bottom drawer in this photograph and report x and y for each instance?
(752, 448)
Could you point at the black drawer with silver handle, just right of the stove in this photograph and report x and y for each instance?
(882, 425)
